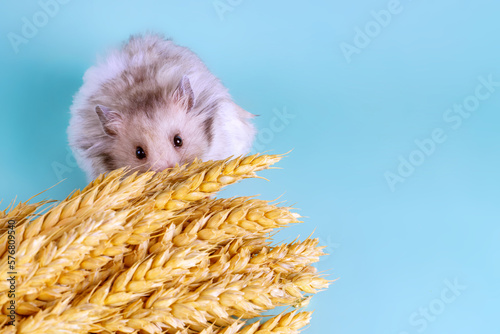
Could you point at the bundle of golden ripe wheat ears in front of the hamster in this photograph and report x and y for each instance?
(156, 253)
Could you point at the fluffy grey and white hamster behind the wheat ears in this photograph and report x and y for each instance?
(151, 105)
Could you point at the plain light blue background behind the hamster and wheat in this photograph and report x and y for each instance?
(352, 119)
